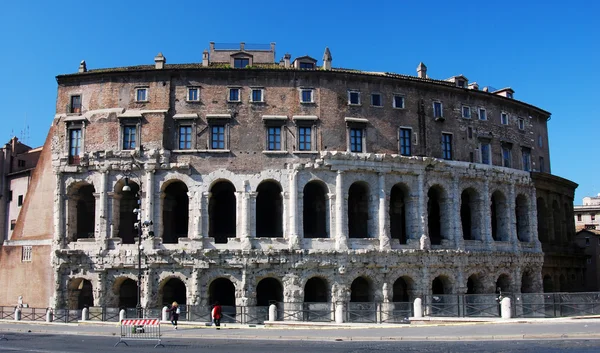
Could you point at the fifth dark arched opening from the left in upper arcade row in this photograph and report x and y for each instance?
(269, 210)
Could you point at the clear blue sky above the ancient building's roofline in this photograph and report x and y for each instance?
(547, 51)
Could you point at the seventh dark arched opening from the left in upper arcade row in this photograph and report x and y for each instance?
(358, 210)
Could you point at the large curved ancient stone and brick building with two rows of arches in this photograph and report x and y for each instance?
(259, 181)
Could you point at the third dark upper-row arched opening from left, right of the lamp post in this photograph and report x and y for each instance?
(175, 212)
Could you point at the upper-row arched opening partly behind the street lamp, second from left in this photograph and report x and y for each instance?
(128, 201)
